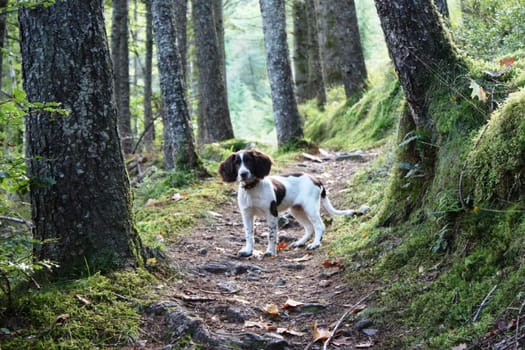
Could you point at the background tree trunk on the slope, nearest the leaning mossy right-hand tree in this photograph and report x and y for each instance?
(352, 60)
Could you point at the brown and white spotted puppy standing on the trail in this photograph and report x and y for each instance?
(266, 196)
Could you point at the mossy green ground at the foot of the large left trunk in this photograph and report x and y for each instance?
(90, 313)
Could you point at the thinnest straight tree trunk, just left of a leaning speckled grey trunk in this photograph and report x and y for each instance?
(149, 132)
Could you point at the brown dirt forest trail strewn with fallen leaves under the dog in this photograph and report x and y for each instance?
(284, 302)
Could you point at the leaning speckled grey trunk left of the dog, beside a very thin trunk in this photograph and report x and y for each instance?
(179, 145)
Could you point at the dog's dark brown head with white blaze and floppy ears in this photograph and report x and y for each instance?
(245, 166)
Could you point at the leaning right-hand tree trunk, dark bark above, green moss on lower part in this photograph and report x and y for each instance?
(423, 56)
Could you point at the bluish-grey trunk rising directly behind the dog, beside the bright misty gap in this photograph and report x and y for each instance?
(287, 120)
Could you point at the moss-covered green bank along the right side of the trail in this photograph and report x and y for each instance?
(462, 240)
